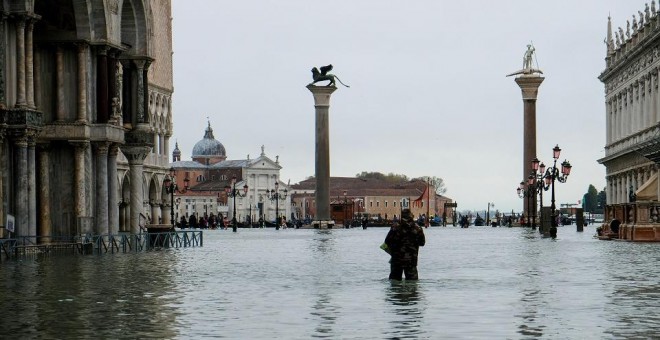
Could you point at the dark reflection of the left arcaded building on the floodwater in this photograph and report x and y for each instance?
(61, 294)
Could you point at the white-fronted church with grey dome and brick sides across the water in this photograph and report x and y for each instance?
(201, 183)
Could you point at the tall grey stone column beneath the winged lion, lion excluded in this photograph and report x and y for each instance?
(322, 161)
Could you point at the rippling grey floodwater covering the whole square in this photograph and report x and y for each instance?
(475, 283)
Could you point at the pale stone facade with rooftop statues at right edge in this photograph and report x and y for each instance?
(632, 102)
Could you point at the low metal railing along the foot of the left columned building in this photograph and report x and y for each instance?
(100, 244)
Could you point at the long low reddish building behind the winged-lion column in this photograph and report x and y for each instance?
(352, 198)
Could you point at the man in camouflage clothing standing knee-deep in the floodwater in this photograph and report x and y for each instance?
(403, 242)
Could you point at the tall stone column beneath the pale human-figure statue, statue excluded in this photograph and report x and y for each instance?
(529, 85)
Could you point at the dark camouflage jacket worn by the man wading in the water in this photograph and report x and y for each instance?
(404, 241)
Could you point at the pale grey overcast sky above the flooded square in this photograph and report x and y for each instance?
(429, 94)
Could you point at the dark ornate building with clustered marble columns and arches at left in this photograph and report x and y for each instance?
(85, 114)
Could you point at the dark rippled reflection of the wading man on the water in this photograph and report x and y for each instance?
(405, 298)
